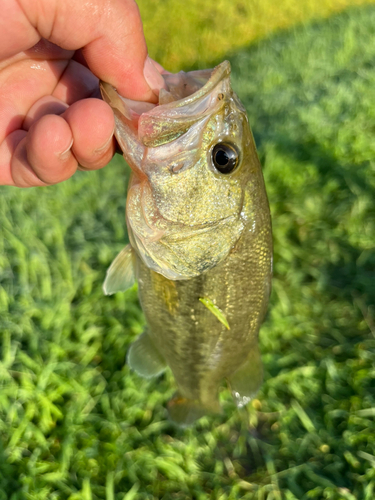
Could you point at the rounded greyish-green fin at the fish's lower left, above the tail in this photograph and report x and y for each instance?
(144, 358)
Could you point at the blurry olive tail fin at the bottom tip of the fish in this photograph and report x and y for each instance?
(184, 412)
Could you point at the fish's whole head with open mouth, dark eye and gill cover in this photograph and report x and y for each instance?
(193, 157)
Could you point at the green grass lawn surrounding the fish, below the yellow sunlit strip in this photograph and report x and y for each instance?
(76, 424)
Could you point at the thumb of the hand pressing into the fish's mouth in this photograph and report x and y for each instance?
(111, 35)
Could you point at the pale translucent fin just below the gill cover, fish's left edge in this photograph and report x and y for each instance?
(120, 274)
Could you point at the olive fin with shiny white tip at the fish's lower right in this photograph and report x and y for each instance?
(246, 381)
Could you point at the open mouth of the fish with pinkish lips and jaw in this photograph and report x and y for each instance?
(185, 100)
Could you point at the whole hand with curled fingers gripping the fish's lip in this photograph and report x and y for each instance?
(52, 53)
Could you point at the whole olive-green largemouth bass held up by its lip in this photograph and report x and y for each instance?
(200, 238)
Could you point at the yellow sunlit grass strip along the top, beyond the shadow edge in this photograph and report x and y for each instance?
(194, 33)
